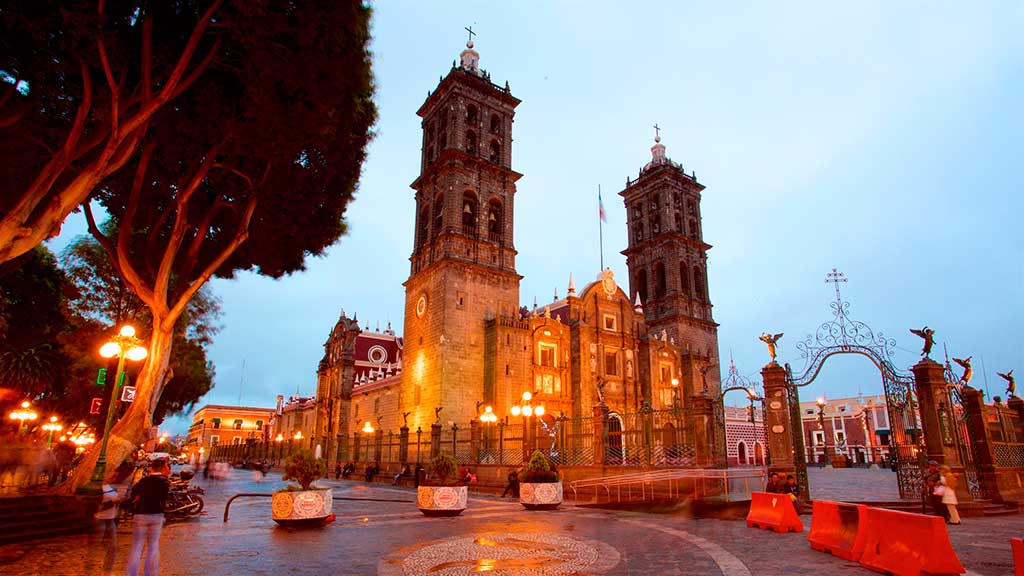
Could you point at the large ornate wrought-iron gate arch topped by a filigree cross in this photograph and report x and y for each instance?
(845, 336)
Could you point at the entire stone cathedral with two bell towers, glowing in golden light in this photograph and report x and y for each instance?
(468, 342)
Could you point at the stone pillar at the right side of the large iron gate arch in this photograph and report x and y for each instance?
(936, 421)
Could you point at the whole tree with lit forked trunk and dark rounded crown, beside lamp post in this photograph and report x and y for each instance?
(251, 170)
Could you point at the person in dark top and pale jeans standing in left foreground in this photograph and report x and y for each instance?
(149, 501)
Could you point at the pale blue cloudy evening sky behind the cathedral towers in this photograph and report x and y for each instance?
(883, 140)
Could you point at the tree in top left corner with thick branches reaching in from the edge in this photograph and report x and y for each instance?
(84, 80)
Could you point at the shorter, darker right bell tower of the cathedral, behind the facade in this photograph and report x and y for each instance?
(668, 264)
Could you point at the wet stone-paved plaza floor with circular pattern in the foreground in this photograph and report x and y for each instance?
(393, 539)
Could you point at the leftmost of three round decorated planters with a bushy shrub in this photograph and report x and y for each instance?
(304, 505)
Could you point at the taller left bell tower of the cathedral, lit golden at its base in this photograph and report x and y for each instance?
(463, 263)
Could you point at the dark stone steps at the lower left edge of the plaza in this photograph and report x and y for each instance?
(31, 518)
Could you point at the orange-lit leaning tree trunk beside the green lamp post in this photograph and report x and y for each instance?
(132, 430)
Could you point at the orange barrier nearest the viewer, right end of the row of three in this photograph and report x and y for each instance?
(908, 545)
